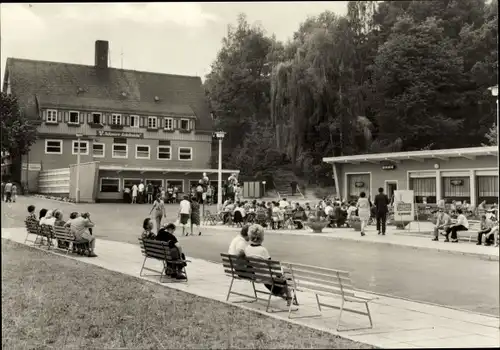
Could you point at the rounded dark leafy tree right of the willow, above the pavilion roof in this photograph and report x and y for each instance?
(416, 83)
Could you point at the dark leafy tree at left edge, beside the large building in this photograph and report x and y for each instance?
(18, 133)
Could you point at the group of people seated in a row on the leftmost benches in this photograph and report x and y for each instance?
(79, 225)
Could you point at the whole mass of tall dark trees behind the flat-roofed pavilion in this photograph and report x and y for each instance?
(388, 76)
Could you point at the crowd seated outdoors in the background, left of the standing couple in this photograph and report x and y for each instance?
(276, 214)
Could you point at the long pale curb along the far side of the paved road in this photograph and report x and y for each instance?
(485, 256)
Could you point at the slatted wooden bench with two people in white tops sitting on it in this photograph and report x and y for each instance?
(254, 270)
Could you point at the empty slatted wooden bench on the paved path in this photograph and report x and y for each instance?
(328, 283)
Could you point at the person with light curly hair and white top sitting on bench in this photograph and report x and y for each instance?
(256, 250)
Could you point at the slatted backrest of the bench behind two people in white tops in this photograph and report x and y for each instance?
(255, 269)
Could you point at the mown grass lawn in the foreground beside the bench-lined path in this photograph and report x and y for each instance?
(49, 301)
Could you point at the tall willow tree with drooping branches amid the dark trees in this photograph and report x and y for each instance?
(315, 100)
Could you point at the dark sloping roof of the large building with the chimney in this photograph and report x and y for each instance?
(42, 83)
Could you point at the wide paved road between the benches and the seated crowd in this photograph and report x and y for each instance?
(464, 282)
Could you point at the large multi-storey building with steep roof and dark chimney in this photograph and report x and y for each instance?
(132, 126)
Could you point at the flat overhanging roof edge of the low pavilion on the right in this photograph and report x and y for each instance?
(443, 154)
